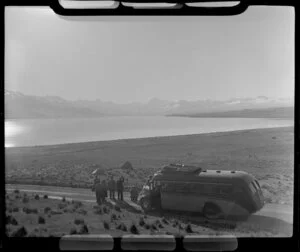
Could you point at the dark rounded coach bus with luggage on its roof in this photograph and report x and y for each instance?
(216, 194)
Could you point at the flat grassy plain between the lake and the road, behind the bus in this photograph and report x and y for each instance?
(265, 153)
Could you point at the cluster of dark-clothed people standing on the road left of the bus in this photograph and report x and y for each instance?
(112, 186)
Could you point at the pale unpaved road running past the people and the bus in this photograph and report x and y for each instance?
(271, 216)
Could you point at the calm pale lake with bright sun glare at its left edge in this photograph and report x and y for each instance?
(31, 132)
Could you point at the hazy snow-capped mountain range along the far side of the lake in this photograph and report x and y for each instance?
(18, 105)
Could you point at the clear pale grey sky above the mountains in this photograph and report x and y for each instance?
(134, 59)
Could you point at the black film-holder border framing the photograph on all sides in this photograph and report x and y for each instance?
(244, 244)
